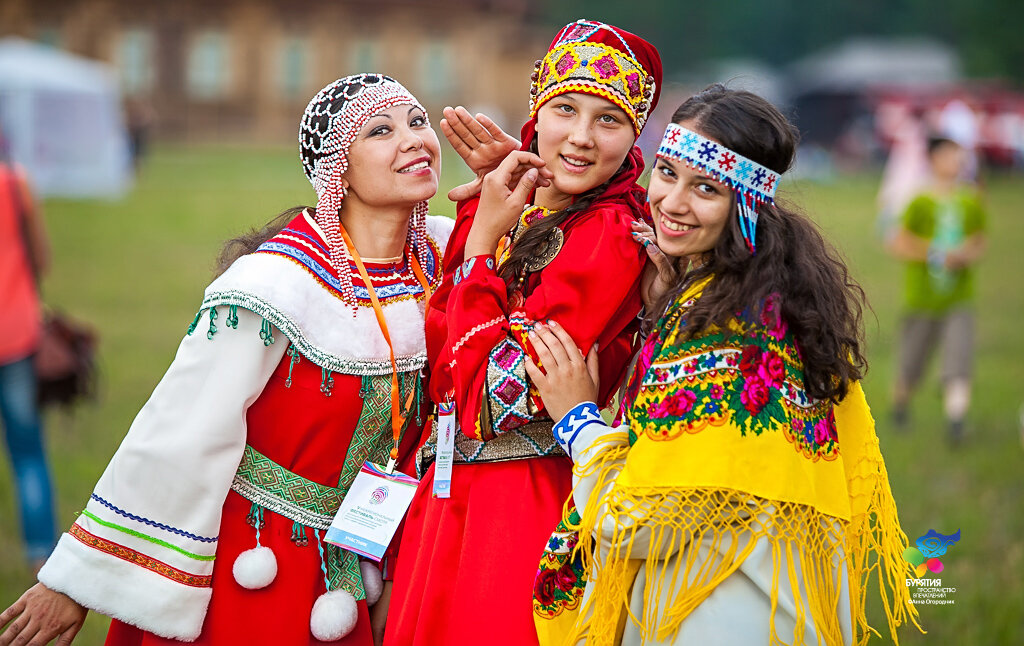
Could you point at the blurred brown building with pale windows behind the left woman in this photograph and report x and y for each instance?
(245, 70)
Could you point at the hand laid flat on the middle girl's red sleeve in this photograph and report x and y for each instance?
(568, 378)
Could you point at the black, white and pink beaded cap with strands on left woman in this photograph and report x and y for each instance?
(332, 121)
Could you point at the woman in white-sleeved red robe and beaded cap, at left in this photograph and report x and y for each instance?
(288, 371)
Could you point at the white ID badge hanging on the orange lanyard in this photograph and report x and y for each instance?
(370, 515)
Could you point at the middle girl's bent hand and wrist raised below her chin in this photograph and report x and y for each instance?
(503, 199)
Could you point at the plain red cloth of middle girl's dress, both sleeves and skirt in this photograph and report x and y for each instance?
(449, 550)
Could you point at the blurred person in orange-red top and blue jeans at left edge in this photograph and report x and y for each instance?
(24, 260)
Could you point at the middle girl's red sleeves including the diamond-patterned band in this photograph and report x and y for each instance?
(591, 288)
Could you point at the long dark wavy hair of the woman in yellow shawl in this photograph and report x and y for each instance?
(803, 274)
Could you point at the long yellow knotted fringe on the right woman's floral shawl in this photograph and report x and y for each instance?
(731, 524)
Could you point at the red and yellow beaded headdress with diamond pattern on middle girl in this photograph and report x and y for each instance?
(575, 65)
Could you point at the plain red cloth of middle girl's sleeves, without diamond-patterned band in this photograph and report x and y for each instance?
(591, 289)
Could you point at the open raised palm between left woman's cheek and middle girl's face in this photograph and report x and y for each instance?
(482, 144)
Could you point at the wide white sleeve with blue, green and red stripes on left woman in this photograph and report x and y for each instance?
(167, 483)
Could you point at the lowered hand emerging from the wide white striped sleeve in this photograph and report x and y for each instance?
(41, 616)
